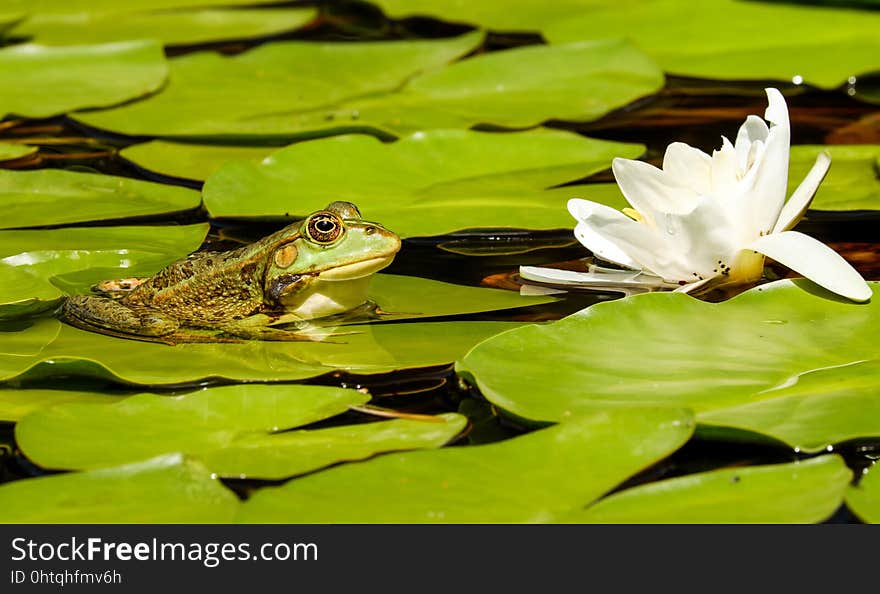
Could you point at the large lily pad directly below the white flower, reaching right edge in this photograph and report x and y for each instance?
(709, 357)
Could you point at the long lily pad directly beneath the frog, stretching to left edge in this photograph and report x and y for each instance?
(374, 348)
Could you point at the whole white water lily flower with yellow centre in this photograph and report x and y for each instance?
(706, 221)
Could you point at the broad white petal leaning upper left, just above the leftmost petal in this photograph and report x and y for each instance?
(649, 190)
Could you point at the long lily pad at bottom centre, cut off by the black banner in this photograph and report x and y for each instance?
(531, 478)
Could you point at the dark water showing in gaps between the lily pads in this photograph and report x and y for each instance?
(689, 110)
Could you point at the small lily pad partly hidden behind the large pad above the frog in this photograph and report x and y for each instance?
(190, 161)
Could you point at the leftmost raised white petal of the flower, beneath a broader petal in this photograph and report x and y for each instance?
(611, 235)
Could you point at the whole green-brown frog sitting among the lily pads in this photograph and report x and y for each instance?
(313, 269)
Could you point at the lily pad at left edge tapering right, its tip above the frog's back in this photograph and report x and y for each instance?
(54, 196)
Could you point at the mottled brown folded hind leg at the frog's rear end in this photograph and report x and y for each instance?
(107, 313)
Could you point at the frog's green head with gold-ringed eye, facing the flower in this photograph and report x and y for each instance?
(333, 245)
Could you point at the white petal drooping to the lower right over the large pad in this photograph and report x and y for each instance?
(816, 261)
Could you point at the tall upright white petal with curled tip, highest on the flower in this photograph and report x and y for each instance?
(761, 205)
